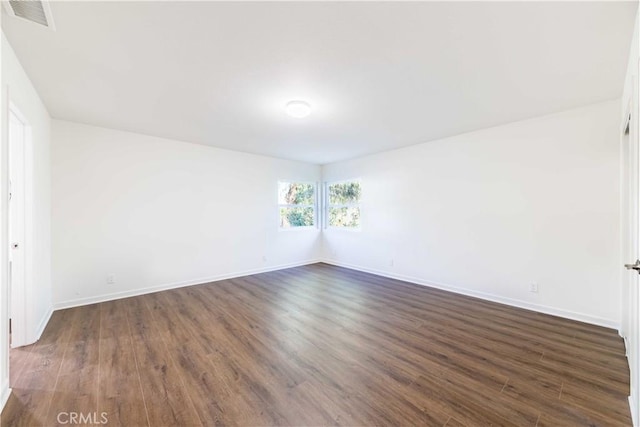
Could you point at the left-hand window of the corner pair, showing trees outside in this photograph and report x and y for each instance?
(297, 204)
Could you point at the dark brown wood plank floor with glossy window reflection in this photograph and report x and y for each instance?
(318, 345)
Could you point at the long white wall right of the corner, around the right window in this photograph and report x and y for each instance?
(486, 213)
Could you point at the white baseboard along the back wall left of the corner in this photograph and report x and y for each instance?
(174, 285)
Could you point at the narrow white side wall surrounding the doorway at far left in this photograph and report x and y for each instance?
(17, 88)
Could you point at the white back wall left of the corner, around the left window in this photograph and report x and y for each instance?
(159, 213)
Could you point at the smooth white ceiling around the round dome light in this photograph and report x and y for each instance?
(378, 75)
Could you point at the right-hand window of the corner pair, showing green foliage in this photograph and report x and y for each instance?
(343, 204)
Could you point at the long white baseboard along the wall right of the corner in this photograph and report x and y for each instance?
(581, 317)
